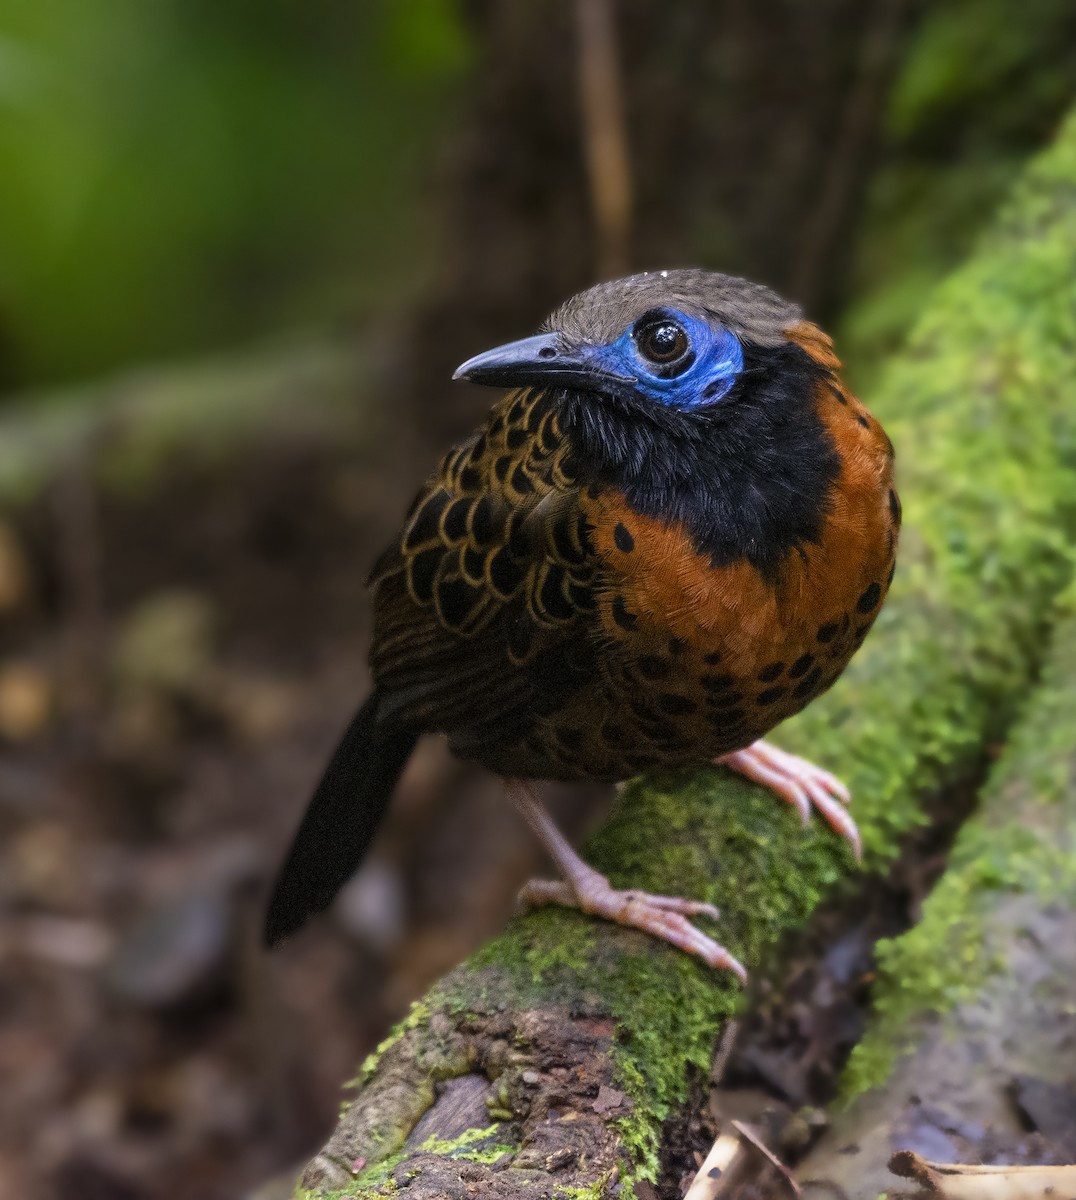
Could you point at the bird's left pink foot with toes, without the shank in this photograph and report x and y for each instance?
(662, 917)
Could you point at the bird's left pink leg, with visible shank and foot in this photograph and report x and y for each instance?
(663, 917)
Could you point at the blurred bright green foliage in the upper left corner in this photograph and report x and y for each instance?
(181, 176)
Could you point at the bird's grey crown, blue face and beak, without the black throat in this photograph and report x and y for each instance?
(665, 341)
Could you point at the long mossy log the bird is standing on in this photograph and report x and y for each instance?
(546, 1065)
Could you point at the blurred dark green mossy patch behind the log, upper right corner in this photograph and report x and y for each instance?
(973, 99)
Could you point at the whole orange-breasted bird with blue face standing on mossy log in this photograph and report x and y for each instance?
(671, 533)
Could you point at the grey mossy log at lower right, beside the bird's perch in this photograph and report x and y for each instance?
(979, 999)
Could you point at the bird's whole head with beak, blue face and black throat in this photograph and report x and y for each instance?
(693, 394)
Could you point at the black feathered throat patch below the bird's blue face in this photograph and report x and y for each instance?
(750, 478)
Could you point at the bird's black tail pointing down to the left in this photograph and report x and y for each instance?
(340, 823)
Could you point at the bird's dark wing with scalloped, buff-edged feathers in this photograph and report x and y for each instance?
(484, 608)
